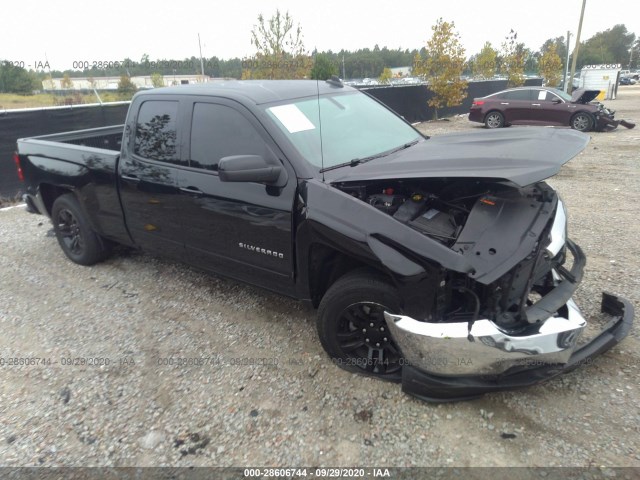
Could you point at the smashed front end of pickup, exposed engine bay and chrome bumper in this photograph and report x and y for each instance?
(502, 315)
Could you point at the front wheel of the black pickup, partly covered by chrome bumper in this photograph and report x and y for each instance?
(352, 328)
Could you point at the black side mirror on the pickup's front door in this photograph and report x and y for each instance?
(251, 168)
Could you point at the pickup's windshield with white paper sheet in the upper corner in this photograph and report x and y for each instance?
(353, 127)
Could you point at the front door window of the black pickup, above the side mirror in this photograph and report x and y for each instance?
(218, 131)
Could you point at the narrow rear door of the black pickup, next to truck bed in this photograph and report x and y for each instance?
(148, 177)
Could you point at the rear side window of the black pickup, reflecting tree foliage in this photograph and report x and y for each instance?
(156, 131)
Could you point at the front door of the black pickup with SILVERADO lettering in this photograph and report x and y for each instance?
(242, 230)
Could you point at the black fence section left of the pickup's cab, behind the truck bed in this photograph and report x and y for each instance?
(22, 124)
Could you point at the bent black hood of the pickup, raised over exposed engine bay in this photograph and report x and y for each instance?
(522, 156)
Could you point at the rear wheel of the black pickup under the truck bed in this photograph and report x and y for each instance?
(76, 238)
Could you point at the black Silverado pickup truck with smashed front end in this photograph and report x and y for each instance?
(437, 262)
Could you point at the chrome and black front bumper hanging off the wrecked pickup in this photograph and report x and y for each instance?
(456, 361)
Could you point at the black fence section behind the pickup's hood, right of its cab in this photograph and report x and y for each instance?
(410, 101)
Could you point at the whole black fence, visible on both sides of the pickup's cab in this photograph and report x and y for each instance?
(409, 101)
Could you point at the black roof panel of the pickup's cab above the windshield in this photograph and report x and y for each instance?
(256, 91)
